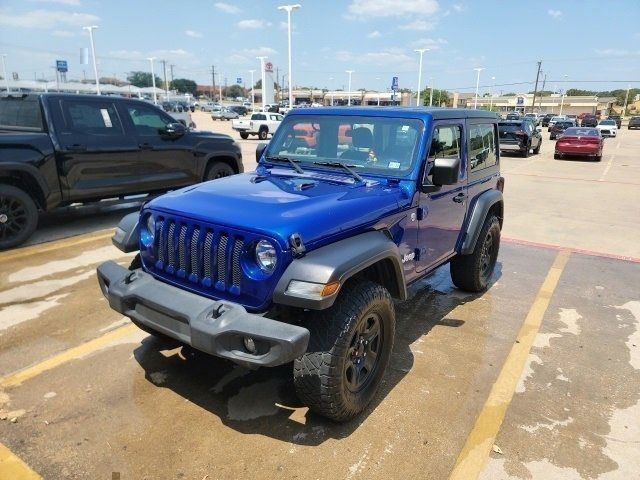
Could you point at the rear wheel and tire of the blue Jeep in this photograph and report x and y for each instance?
(473, 272)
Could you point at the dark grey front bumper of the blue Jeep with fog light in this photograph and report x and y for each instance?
(214, 327)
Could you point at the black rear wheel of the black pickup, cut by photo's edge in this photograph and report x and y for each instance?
(18, 216)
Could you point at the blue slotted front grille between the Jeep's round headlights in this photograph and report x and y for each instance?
(200, 254)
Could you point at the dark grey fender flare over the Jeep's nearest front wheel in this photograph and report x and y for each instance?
(339, 261)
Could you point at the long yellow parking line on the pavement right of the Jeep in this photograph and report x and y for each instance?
(480, 441)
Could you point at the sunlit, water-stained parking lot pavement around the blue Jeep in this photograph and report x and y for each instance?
(537, 378)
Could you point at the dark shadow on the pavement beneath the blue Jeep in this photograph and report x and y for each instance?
(264, 401)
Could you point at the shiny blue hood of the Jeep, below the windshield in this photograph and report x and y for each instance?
(315, 206)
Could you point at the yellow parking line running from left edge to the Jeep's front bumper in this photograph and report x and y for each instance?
(66, 356)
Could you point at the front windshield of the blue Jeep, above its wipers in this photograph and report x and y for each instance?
(377, 145)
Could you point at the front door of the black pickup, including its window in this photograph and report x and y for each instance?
(163, 162)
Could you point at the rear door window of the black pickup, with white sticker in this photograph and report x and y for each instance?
(90, 117)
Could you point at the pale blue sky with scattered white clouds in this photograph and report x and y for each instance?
(592, 43)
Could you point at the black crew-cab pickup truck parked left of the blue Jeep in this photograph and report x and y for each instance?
(58, 149)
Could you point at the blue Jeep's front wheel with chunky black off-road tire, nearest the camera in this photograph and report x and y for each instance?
(326, 377)
